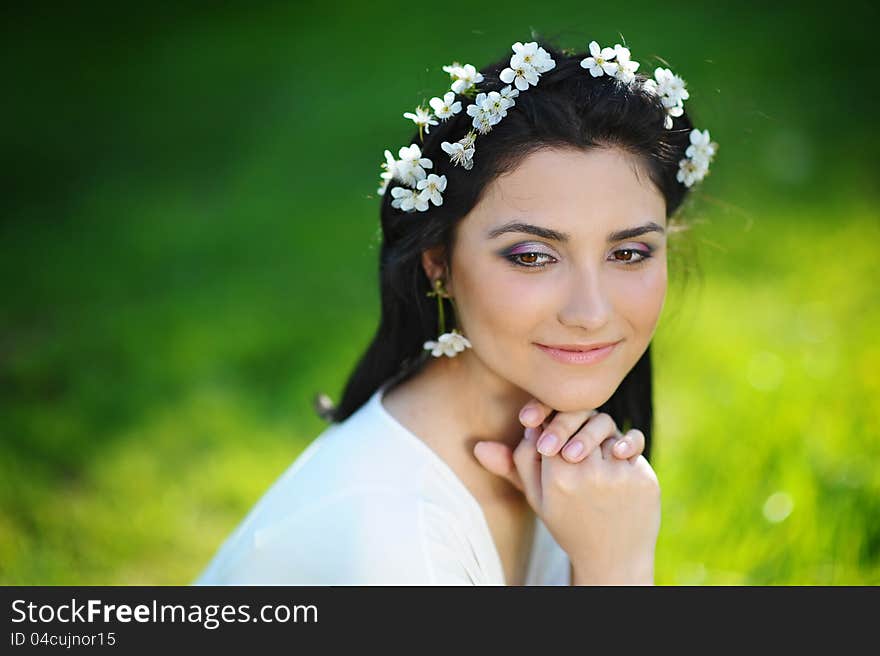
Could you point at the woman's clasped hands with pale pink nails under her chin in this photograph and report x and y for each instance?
(602, 506)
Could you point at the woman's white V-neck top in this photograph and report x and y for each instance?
(369, 503)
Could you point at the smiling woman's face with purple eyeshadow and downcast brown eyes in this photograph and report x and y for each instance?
(537, 261)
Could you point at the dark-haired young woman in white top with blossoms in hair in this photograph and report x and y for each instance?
(497, 429)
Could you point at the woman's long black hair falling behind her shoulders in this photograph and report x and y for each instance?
(569, 108)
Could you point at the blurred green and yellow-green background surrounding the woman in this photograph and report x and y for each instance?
(189, 252)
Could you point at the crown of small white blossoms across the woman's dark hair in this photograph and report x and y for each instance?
(419, 188)
